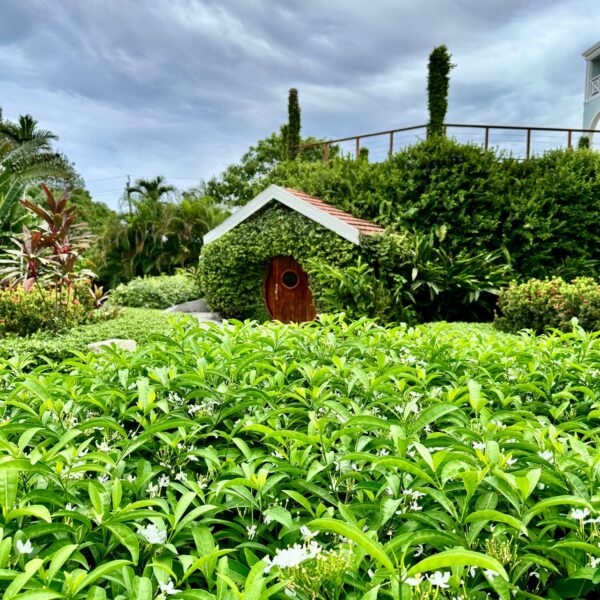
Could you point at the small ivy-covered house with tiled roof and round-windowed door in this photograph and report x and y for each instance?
(257, 263)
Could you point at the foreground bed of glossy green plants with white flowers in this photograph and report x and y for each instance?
(329, 460)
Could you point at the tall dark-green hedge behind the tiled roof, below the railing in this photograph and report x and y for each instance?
(543, 210)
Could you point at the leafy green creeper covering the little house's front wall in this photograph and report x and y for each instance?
(233, 268)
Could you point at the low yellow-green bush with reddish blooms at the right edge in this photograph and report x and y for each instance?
(541, 305)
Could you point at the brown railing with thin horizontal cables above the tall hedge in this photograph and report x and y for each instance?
(519, 141)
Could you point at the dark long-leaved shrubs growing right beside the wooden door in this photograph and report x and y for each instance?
(412, 278)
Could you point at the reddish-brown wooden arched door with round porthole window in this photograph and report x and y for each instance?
(287, 294)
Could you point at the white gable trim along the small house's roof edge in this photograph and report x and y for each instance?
(274, 192)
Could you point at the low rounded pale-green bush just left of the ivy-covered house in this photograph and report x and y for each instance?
(157, 292)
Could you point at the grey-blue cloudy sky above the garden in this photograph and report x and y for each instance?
(183, 87)
